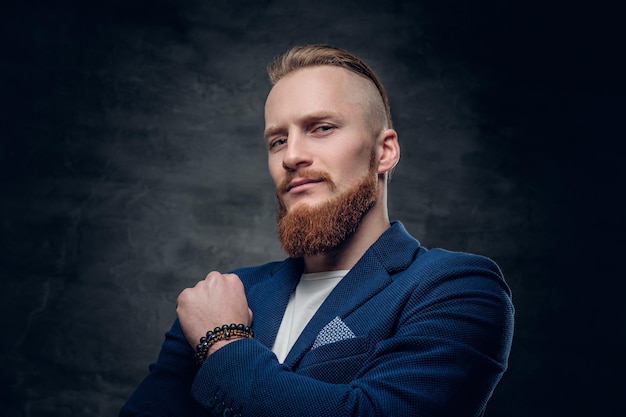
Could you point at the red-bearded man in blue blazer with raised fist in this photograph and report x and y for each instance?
(360, 319)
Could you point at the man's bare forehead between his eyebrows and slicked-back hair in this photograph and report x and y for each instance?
(315, 89)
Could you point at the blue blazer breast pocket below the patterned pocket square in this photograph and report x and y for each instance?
(336, 362)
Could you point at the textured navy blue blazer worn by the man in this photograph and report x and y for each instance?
(407, 332)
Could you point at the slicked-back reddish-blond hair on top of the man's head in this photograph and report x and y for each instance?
(306, 56)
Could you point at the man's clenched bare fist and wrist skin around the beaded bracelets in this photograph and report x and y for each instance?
(218, 299)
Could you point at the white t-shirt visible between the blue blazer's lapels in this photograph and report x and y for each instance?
(309, 295)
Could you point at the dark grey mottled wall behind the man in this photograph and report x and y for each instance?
(131, 164)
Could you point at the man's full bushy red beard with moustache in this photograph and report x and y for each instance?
(309, 230)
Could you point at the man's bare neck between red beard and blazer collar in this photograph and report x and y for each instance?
(348, 253)
